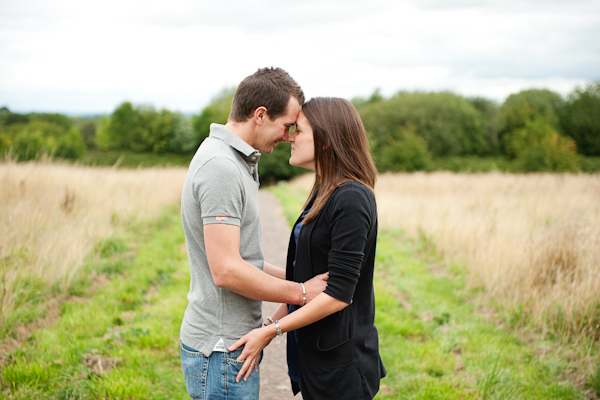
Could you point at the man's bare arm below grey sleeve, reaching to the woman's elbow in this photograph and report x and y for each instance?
(230, 271)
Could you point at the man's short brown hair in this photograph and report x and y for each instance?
(268, 87)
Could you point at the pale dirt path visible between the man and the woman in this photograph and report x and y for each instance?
(274, 381)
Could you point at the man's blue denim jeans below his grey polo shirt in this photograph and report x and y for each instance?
(218, 381)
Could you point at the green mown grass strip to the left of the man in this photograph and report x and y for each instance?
(122, 342)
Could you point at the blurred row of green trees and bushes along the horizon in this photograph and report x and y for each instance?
(533, 130)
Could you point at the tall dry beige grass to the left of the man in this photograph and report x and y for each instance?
(52, 215)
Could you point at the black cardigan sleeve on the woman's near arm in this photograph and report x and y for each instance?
(350, 224)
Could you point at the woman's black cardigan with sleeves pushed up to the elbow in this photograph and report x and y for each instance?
(339, 355)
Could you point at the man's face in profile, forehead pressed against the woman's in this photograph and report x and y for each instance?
(273, 132)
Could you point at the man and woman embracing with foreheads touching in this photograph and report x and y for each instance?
(326, 288)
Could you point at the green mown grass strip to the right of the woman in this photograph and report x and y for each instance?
(435, 341)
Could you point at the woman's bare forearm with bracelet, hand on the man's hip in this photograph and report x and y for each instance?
(255, 341)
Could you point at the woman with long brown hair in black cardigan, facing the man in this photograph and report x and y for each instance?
(333, 350)
